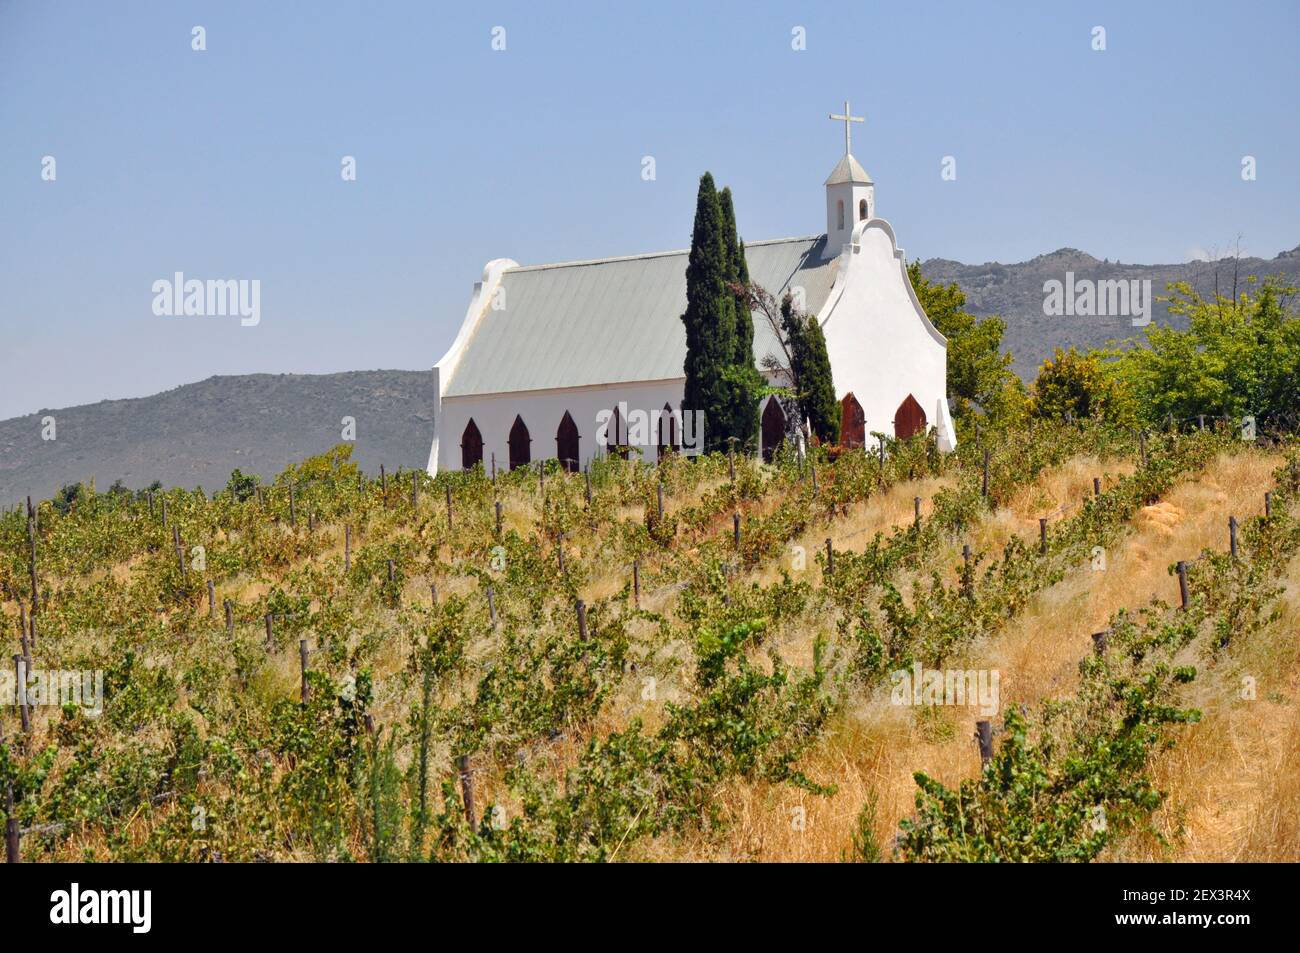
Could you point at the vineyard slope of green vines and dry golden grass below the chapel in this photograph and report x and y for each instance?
(734, 703)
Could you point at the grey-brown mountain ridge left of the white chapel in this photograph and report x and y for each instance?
(196, 435)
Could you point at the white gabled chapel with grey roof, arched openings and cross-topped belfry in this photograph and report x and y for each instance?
(547, 354)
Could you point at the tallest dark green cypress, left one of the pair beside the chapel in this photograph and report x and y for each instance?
(710, 319)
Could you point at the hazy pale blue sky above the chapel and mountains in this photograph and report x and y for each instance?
(226, 163)
